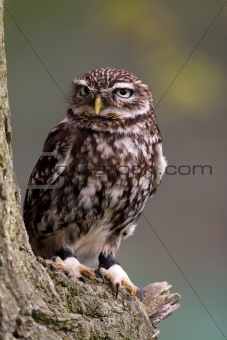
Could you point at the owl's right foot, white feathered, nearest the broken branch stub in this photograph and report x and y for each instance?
(118, 277)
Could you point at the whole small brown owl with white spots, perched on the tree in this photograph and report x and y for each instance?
(97, 170)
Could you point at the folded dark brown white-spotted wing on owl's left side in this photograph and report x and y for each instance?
(48, 172)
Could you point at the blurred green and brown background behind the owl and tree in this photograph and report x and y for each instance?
(152, 39)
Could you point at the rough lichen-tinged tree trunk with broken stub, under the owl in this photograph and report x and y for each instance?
(39, 302)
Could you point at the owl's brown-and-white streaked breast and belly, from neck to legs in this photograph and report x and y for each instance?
(107, 181)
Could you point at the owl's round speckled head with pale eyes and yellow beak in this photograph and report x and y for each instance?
(109, 92)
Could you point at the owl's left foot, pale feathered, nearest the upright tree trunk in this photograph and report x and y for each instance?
(74, 269)
